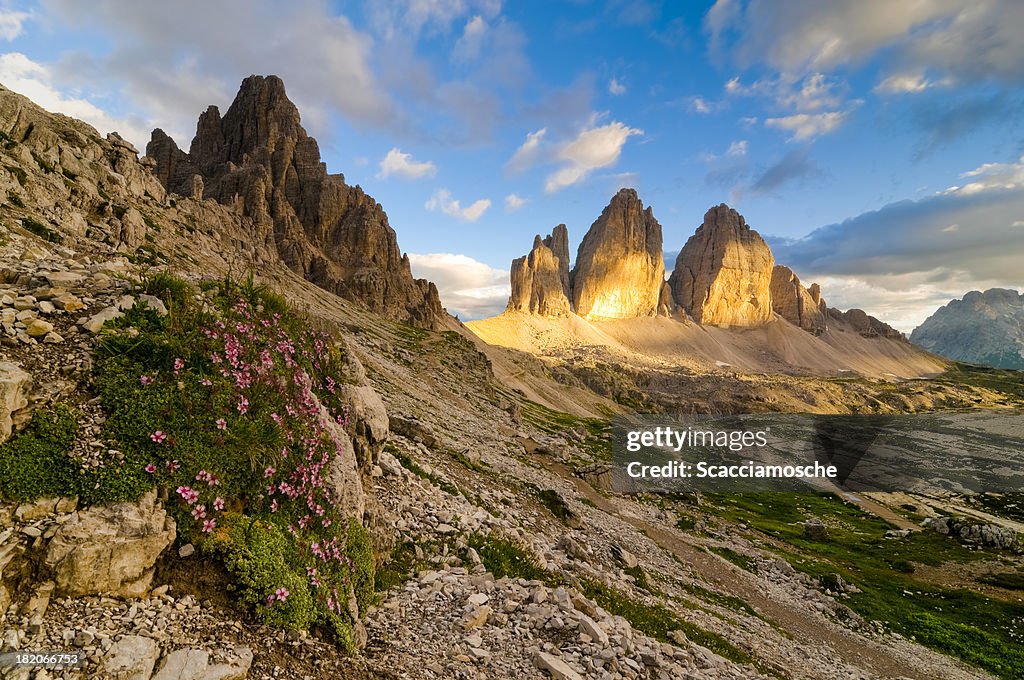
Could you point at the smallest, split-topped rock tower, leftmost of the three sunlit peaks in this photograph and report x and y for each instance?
(541, 280)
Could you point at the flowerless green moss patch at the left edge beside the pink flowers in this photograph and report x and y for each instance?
(35, 463)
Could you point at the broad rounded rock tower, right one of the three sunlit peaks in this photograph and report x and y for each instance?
(723, 274)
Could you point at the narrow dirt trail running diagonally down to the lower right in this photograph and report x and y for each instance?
(856, 650)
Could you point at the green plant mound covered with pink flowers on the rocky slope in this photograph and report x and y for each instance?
(222, 401)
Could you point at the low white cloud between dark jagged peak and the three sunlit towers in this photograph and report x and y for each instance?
(467, 288)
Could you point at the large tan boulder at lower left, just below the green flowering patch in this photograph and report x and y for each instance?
(111, 550)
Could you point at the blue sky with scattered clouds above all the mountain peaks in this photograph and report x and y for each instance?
(877, 146)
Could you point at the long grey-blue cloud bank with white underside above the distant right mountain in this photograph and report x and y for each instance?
(906, 257)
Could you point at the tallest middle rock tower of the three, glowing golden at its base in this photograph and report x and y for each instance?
(620, 269)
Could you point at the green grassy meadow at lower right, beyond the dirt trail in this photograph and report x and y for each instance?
(966, 624)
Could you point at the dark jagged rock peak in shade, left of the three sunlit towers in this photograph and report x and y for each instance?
(259, 158)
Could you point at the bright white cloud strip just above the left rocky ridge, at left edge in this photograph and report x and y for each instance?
(35, 81)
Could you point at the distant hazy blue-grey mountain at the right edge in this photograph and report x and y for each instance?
(983, 328)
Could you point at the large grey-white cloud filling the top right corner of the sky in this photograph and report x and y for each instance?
(964, 40)
